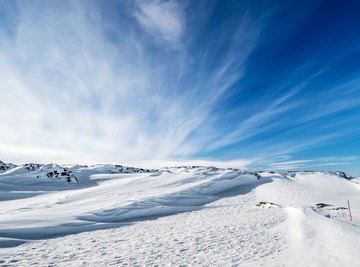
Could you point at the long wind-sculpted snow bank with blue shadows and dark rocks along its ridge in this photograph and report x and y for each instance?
(36, 203)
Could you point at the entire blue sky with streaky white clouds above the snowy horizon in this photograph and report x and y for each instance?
(247, 84)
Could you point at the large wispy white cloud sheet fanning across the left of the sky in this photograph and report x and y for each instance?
(71, 94)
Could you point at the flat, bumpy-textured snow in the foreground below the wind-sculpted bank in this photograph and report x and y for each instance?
(226, 232)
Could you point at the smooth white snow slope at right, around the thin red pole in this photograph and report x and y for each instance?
(317, 235)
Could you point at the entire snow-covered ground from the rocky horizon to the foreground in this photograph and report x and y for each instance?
(176, 216)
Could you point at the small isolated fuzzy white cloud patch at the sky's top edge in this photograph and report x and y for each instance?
(162, 19)
